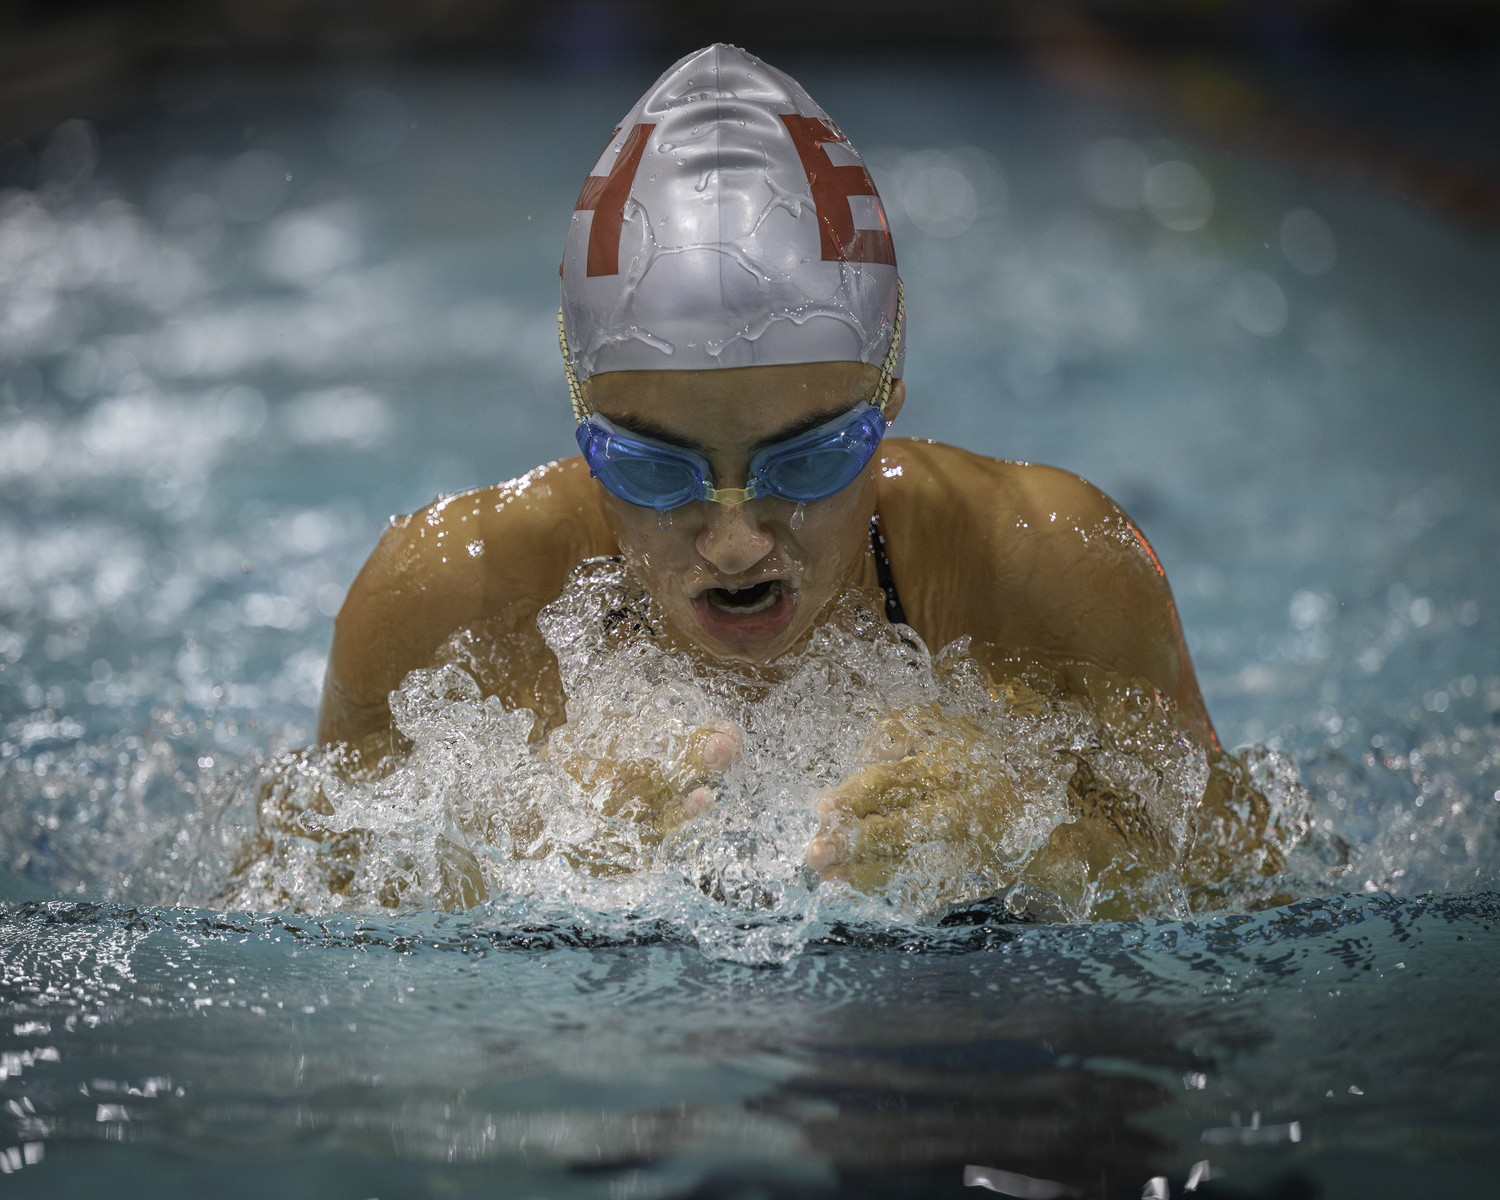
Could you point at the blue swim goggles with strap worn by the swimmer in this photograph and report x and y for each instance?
(803, 469)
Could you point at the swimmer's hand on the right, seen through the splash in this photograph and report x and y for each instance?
(928, 784)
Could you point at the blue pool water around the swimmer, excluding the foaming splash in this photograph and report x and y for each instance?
(241, 329)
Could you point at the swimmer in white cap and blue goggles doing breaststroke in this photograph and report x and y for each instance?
(733, 335)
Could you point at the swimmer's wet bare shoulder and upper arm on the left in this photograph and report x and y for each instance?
(502, 551)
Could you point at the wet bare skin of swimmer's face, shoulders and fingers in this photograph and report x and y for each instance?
(1033, 563)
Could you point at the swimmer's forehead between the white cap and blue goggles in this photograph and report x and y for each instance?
(734, 406)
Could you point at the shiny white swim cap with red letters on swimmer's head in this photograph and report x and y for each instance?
(728, 224)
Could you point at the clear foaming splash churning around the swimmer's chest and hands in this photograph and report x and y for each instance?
(589, 820)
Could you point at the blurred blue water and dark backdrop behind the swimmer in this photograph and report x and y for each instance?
(272, 271)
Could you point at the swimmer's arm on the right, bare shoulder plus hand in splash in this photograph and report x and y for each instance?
(1036, 566)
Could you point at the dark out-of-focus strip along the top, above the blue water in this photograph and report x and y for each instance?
(1265, 76)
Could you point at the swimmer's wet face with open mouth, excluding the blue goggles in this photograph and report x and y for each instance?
(739, 580)
